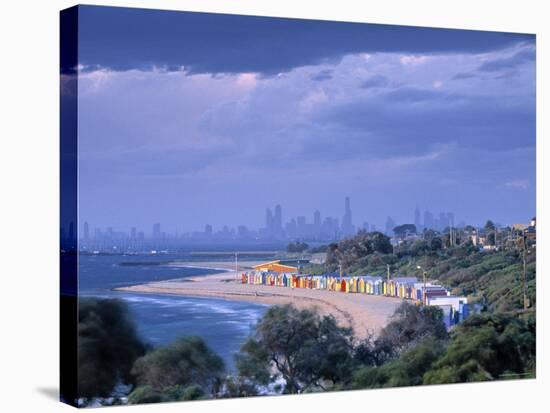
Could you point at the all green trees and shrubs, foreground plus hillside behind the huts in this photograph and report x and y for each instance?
(294, 350)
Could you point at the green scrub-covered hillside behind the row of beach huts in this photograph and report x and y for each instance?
(492, 279)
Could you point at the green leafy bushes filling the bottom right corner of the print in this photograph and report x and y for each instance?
(484, 347)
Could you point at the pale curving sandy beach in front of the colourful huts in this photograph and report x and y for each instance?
(365, 313)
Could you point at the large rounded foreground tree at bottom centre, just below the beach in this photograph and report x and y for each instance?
(307, 351)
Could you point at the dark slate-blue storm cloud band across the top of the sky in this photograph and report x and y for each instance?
(125, 38)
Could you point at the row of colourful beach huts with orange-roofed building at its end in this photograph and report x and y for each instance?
(455, 309)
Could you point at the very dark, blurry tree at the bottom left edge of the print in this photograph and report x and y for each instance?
(108, 345)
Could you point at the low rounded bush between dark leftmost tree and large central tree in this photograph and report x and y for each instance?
(186, 363)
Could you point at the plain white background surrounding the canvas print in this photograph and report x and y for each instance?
(29, 204)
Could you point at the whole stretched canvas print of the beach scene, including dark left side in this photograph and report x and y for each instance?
(256, 206)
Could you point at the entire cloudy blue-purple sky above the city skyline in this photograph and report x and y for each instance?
(194, 118)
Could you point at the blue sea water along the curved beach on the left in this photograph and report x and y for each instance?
(160, 319)
